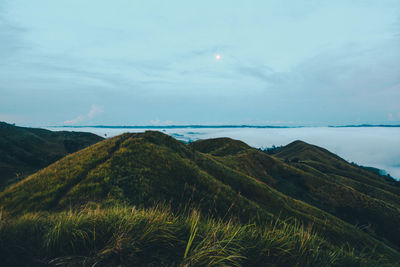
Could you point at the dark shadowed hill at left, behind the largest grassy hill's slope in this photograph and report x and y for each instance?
(23, 150)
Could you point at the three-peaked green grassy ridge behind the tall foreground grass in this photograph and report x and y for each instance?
(223, 178)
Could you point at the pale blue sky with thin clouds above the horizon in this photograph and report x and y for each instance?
(124, 62)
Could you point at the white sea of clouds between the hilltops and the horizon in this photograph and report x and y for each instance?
(368, 146)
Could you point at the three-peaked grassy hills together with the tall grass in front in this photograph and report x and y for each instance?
(312, 216)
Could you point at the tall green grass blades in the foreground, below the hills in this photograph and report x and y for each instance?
(125, 236)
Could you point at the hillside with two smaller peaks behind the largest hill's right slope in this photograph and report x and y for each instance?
(324, 180)
